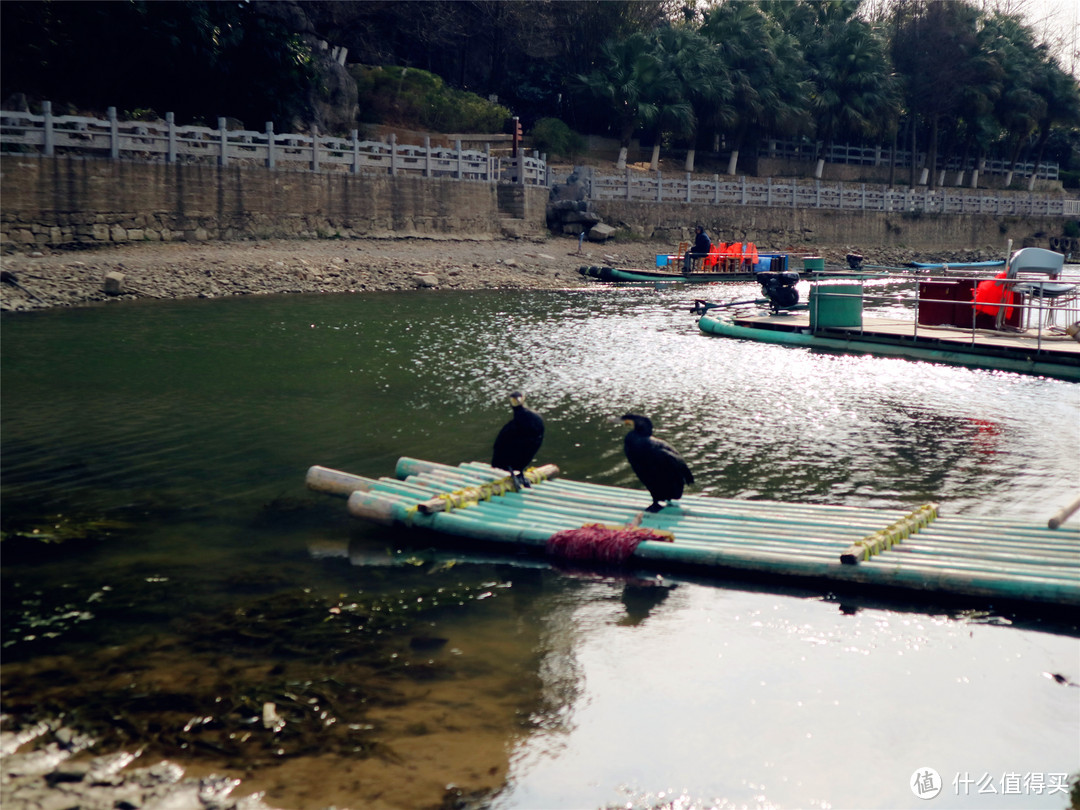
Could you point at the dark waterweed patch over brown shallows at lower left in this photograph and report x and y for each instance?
(274, 678)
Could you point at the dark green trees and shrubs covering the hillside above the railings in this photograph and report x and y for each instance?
(954, 79)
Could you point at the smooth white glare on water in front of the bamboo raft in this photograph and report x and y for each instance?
(730, 699)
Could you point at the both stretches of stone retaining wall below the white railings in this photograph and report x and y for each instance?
(66, 201)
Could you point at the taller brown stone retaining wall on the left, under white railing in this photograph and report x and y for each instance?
(67, 201)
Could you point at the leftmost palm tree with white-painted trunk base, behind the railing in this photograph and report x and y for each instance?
(629, 82)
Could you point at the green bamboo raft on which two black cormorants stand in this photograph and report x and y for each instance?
(881, 549)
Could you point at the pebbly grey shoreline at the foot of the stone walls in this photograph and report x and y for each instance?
(43, 280)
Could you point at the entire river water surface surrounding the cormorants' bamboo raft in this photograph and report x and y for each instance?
(166, 445)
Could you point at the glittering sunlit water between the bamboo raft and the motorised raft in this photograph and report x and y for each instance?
(776, 422)
